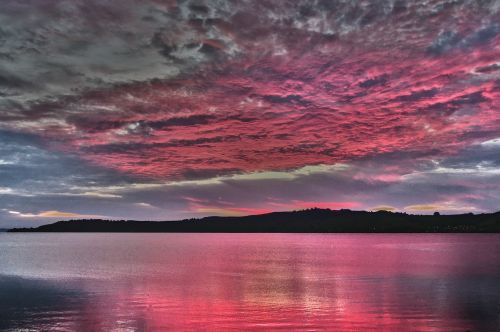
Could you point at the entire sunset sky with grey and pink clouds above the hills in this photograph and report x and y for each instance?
(163, 110)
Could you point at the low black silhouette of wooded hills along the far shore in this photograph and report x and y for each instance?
(304, 221)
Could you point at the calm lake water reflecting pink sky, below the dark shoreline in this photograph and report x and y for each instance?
(156, 282)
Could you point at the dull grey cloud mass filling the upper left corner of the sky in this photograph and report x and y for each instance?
(67, 47)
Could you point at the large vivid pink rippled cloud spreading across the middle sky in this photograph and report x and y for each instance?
(334, 102)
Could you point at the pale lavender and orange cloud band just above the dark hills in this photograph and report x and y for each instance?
(361, 185)
